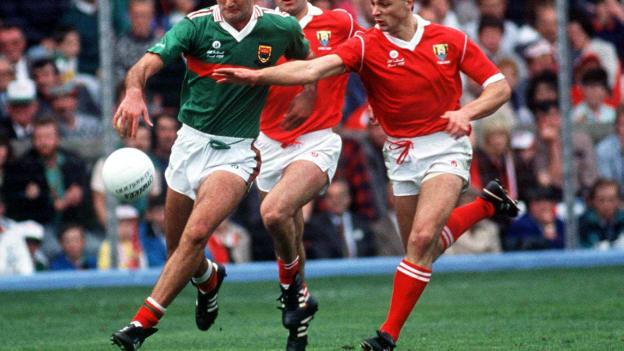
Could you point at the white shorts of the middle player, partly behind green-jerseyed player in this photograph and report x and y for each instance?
(321, 147)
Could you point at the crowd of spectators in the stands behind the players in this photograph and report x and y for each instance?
(53, 212)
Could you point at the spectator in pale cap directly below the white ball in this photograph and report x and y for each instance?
(130, 254)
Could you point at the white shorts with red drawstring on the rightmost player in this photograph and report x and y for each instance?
(430, 154)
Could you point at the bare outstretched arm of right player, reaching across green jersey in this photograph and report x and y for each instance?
(289, 73)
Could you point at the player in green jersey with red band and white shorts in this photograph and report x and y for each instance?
(213, 160)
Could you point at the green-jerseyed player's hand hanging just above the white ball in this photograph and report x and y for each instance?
(131, 109)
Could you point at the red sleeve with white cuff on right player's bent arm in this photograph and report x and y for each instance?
(477, 66)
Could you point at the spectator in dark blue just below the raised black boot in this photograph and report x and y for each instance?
(539, 228)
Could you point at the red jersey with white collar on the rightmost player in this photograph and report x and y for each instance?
(411, 84)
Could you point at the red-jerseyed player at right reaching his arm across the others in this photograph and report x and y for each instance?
(411, 71)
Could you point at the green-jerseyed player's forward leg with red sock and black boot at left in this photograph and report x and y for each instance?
(206, 215)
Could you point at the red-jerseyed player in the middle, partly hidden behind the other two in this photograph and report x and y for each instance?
(297, 164)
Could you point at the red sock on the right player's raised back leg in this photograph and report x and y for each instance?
(463, 218)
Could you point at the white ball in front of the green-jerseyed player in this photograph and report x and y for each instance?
(128, 174)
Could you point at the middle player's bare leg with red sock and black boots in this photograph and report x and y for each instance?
(282, 215)
